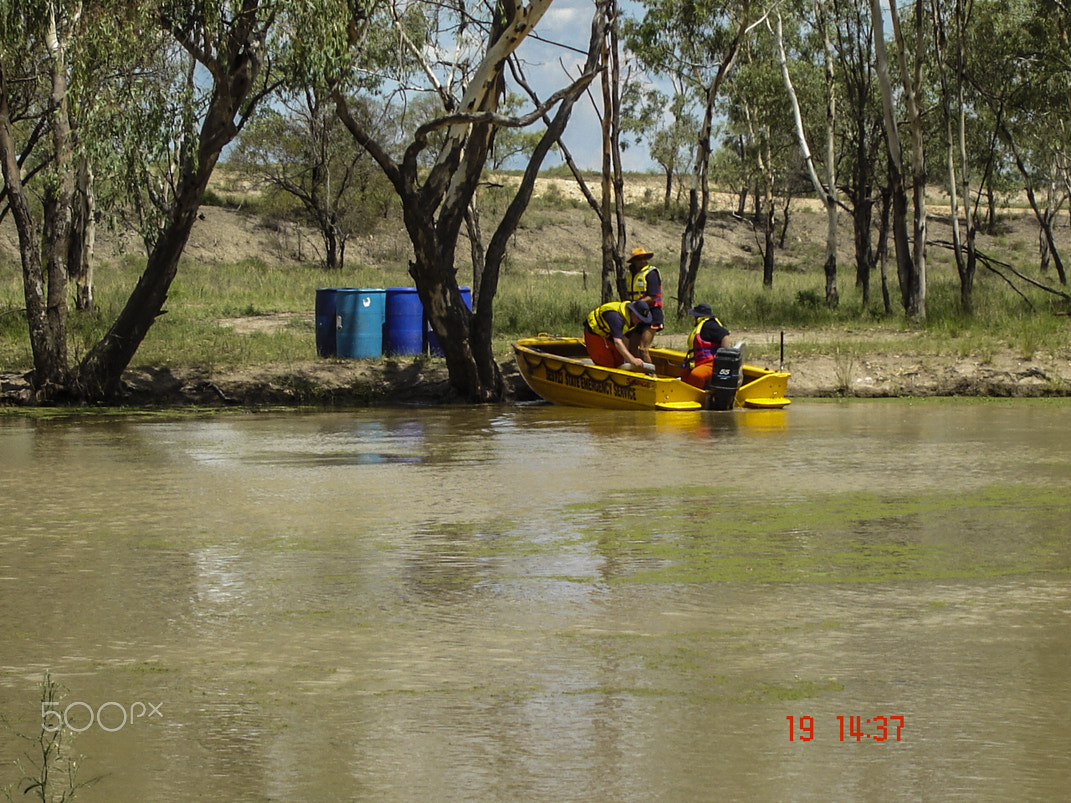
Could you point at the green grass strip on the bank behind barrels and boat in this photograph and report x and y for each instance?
(546, 299)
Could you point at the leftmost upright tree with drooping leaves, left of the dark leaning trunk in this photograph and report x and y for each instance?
(64, 67)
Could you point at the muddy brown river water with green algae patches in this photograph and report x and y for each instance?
(540, 603)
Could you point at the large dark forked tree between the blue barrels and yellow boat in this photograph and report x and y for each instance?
(454, 53)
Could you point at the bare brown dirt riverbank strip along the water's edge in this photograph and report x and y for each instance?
(842, 372)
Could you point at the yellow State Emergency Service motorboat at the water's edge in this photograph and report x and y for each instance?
(560, 371)
